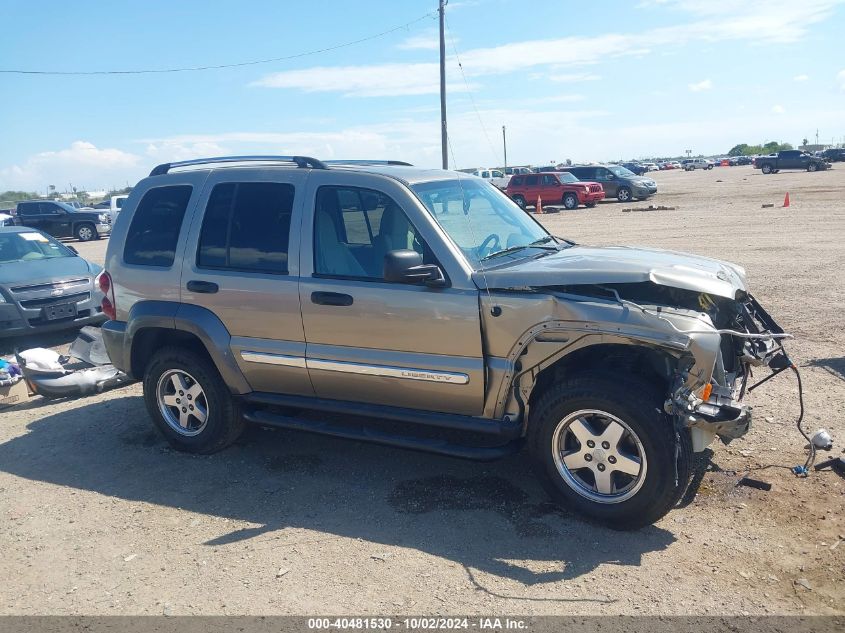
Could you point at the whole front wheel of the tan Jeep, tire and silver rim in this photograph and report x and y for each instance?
(648, 445)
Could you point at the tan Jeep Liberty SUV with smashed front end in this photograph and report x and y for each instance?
(424, 309)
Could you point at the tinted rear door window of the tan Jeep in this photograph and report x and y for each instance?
(247, 227)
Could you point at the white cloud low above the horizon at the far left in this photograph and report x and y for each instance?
(82, 164)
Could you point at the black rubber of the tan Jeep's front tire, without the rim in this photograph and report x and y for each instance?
(668, 454)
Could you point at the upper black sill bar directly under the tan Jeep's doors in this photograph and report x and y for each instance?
(504, 429)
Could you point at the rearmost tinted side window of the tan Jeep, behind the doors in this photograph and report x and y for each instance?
(155, 227)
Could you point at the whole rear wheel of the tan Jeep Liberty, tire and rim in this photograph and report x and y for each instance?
(173, 367)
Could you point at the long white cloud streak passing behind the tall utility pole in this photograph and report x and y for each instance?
(757, 21)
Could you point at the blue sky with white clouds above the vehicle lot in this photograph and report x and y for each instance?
(578, 80)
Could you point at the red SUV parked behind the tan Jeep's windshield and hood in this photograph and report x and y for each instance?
(554, 188)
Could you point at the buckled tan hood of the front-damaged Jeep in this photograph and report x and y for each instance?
(579, 265)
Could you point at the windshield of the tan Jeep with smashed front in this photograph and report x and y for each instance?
(481, 220)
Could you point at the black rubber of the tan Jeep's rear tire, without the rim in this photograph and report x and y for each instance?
(224, 422)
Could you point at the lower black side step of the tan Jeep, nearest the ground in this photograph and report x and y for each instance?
(362, 433)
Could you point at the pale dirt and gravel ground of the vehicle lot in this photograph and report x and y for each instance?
(99, 516)
